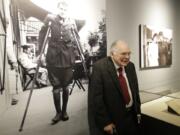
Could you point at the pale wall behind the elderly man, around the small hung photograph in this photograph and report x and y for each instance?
(123, 20)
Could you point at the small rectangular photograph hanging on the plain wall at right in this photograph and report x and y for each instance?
(155, 46)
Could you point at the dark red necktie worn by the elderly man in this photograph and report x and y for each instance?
(123, 86)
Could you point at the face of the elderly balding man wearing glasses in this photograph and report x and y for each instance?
(121, 54)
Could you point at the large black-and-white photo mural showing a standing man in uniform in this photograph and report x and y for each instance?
(48, 48)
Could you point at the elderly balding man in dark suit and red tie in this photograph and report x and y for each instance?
(113, 98)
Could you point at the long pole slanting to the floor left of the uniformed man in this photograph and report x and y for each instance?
(35, 76)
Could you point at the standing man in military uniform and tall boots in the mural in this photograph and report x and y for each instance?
(60, 57)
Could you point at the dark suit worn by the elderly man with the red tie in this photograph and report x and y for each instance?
(105, 100)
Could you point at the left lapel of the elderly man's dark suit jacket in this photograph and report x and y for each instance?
(113, 73)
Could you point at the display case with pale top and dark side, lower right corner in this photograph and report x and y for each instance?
(160, 112)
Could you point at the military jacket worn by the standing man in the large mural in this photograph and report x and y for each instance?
(60, 52)
